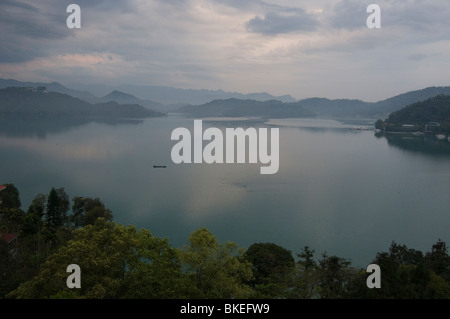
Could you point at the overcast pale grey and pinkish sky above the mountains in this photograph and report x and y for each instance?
(311, 48)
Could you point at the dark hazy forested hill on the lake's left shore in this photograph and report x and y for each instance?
(39, 102)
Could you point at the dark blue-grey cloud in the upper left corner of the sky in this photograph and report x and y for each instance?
(31, 29)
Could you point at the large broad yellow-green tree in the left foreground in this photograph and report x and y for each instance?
(116, 262)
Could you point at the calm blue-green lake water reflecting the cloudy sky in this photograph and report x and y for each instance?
(339, 190)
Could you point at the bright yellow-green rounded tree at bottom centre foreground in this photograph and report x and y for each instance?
(216, 270)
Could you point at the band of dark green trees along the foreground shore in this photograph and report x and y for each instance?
(120, 261)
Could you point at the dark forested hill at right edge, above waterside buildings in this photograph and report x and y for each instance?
(435, 109)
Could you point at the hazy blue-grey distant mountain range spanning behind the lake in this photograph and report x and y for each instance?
(221, 103)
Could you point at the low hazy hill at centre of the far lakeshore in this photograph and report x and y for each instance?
(237, 108)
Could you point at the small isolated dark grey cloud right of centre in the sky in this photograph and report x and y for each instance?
(283, 21)
